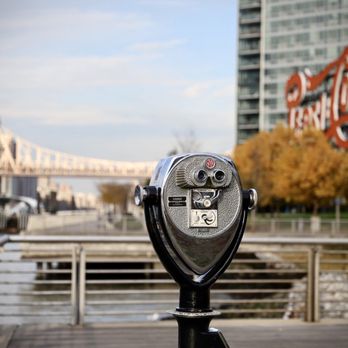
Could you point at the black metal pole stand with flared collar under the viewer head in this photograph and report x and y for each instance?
(194, 316)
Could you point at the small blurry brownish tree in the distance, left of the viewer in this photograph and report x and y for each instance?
(115, 194)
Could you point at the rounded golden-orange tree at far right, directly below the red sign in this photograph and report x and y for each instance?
(308, 172)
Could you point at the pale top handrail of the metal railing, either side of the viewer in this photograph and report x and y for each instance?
(145, 239)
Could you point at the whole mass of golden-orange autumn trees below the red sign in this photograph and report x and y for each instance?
(300, 168)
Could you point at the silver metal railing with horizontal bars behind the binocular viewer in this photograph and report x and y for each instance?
(92, 279)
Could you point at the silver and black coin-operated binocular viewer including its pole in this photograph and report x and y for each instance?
(196, 212)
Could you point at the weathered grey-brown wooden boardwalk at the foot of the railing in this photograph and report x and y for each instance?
(239, 334)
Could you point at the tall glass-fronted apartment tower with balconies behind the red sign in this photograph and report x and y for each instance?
(276, 39)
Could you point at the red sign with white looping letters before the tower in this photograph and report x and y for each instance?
(321, 101)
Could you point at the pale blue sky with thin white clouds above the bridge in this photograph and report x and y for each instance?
(119, 79)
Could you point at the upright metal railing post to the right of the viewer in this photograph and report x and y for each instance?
(313, 282)
